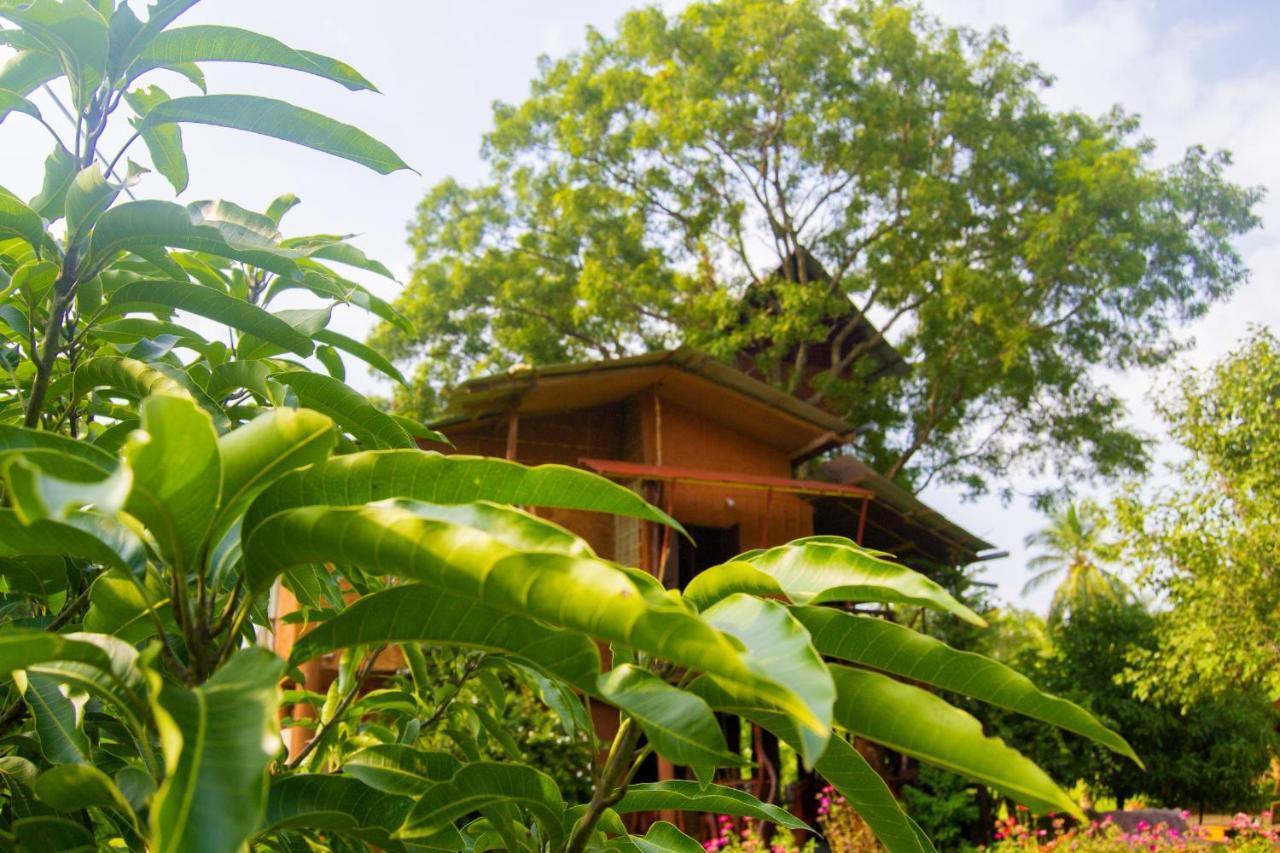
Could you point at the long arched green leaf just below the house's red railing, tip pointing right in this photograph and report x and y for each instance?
(429, 477)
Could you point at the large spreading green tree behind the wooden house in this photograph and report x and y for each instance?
(655, 179)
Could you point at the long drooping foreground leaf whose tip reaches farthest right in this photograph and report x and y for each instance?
(884, 646)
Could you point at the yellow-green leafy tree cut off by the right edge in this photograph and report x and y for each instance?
(1209, 541)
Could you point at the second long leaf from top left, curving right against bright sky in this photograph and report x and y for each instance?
(281, 121)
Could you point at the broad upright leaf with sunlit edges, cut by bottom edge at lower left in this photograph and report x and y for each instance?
(217, 741)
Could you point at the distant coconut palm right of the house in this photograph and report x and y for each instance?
(1073, 555)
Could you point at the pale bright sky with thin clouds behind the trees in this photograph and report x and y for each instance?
(1195, 72)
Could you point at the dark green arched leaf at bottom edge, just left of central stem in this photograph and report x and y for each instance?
(483, 786)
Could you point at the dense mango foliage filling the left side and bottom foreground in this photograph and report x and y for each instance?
(162, 486)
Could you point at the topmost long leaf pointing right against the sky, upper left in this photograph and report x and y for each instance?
(205, 44)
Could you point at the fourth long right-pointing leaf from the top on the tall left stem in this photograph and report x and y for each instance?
(207, 303)
